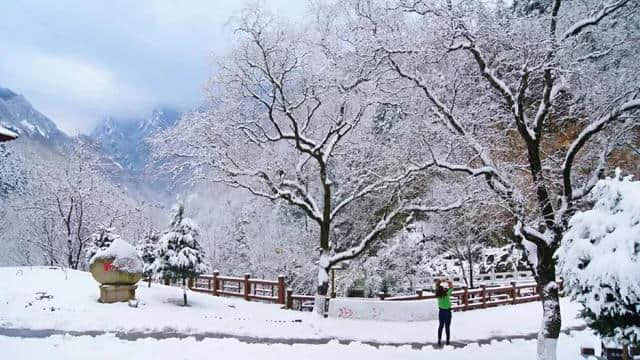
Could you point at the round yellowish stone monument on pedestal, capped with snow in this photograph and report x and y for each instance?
(117, 268)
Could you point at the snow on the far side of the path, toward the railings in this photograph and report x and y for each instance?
(75, 307)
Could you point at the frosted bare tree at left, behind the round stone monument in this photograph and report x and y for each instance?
(63, 201)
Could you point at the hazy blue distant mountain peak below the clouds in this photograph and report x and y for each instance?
(124, 139)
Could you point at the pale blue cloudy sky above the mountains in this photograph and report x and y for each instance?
(78, 60)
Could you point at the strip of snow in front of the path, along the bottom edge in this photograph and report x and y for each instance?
(108, 347)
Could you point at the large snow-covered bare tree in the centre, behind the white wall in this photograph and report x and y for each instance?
(283, 130)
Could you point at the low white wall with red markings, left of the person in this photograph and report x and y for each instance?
(419, 310)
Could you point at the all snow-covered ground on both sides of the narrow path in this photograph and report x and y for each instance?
(74, 307)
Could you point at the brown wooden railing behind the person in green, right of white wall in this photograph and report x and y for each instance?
(482, 297)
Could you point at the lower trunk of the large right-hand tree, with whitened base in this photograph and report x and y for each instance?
(551, 321)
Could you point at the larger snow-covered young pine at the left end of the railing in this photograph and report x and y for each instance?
(179, 255)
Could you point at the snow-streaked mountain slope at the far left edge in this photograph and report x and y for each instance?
(19, 116)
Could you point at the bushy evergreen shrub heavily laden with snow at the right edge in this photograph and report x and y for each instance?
(599, 260)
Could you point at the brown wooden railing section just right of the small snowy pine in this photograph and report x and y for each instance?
(272, 291)
